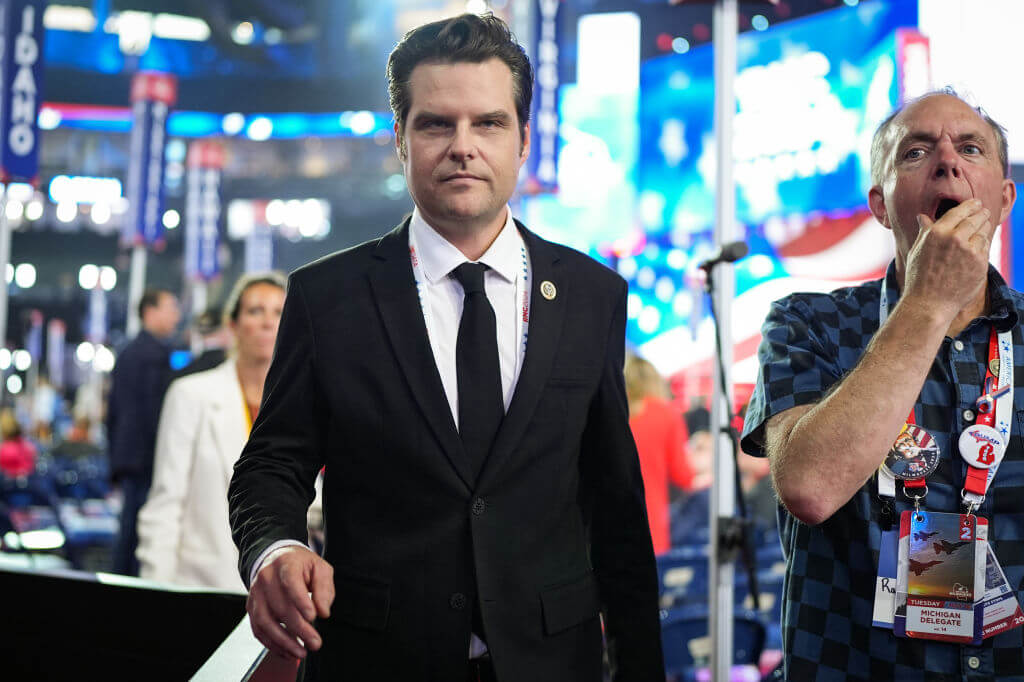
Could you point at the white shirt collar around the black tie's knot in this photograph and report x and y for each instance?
(439, 257)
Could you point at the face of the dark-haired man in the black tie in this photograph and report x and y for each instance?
(463, 148)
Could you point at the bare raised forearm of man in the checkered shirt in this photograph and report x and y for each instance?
(823, 454)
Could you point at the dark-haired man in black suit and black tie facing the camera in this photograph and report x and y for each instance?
(483, 494)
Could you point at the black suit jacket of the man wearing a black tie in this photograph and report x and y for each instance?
(551, 532)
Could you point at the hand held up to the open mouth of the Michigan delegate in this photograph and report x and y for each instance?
(948, 266)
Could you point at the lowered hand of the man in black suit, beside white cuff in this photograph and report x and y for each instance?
(293, 587)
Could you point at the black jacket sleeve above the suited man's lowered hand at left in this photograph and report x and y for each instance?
(273, 485)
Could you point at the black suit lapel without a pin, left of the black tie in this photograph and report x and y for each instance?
(395, 291)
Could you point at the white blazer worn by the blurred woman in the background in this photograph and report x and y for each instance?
(184, 533)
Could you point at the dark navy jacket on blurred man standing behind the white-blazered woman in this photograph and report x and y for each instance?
(139, 382)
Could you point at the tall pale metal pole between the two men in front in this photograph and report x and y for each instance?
(726, 21)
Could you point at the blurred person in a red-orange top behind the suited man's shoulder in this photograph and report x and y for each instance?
(661, 438)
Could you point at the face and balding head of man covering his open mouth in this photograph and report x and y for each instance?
(942, 153)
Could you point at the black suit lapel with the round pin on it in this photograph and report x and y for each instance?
(546, 319)
